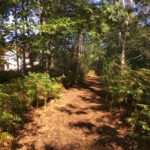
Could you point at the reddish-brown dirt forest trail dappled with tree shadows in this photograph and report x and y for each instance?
(79, 120)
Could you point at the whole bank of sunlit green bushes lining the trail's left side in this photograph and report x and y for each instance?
(17, 97)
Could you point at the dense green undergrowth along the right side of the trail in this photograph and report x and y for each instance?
(132, 89)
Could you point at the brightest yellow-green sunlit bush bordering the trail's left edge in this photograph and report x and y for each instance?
(39, 87)
